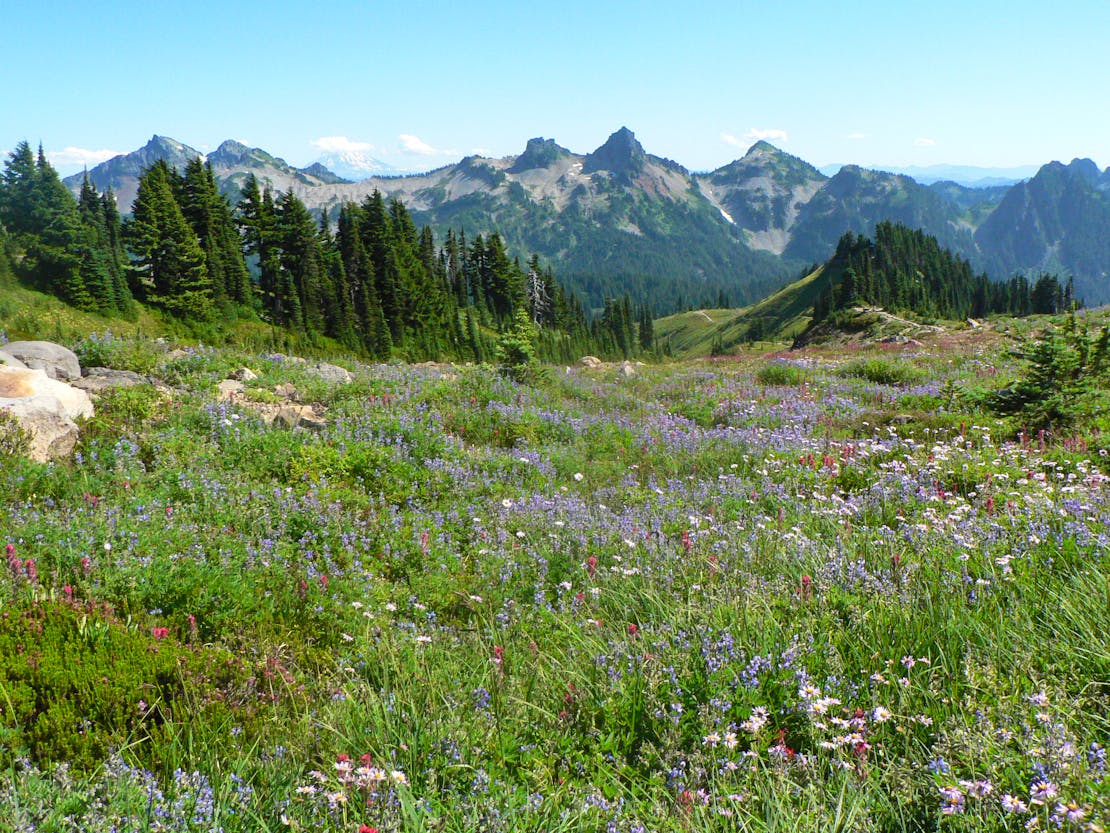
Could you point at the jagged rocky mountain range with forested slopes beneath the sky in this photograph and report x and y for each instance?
(622, 220)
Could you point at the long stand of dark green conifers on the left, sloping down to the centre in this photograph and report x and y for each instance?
(368, 279)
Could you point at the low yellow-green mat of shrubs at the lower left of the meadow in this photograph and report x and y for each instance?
(77, 683)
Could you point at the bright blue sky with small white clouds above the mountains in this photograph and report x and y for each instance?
(422, 83)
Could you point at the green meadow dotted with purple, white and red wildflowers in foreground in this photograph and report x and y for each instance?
(828, 590)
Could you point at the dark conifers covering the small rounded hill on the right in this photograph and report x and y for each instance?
(906, 270)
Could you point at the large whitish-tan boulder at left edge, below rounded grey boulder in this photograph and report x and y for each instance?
(46, 409)
